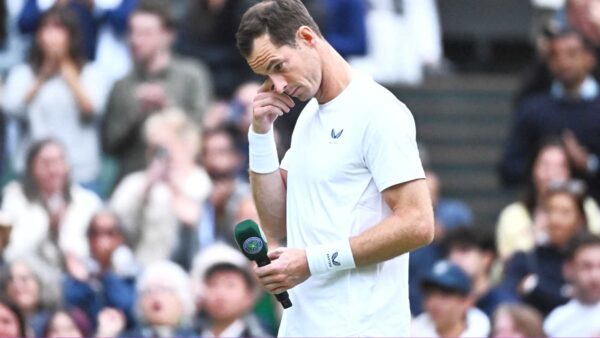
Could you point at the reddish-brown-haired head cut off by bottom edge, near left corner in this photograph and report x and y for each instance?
(68, 323)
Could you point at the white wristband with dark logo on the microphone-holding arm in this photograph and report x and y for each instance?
(334, 256)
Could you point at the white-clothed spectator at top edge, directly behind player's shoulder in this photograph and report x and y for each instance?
(394, 25)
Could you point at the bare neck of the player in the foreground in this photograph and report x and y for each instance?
(336, 76)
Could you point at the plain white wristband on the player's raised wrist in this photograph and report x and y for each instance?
(263, 152)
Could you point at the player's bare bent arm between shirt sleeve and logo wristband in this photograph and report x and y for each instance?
(409, 227)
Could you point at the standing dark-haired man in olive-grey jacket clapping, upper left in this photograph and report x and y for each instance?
(158, 80)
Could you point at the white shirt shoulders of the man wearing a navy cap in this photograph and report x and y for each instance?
(478, 325)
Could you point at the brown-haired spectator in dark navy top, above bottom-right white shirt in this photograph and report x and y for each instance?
(536, 276)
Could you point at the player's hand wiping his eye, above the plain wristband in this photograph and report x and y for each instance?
(268, 105)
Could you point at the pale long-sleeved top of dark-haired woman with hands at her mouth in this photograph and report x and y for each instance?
(54, 113)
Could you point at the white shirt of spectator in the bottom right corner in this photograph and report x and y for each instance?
(574, 319)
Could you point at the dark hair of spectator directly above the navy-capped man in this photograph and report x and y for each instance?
(470, 237)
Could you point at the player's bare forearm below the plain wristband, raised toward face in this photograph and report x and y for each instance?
(269, 192)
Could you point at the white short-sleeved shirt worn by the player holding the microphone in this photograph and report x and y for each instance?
(343, 155)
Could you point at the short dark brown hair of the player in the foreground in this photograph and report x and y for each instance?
(280, 19)
